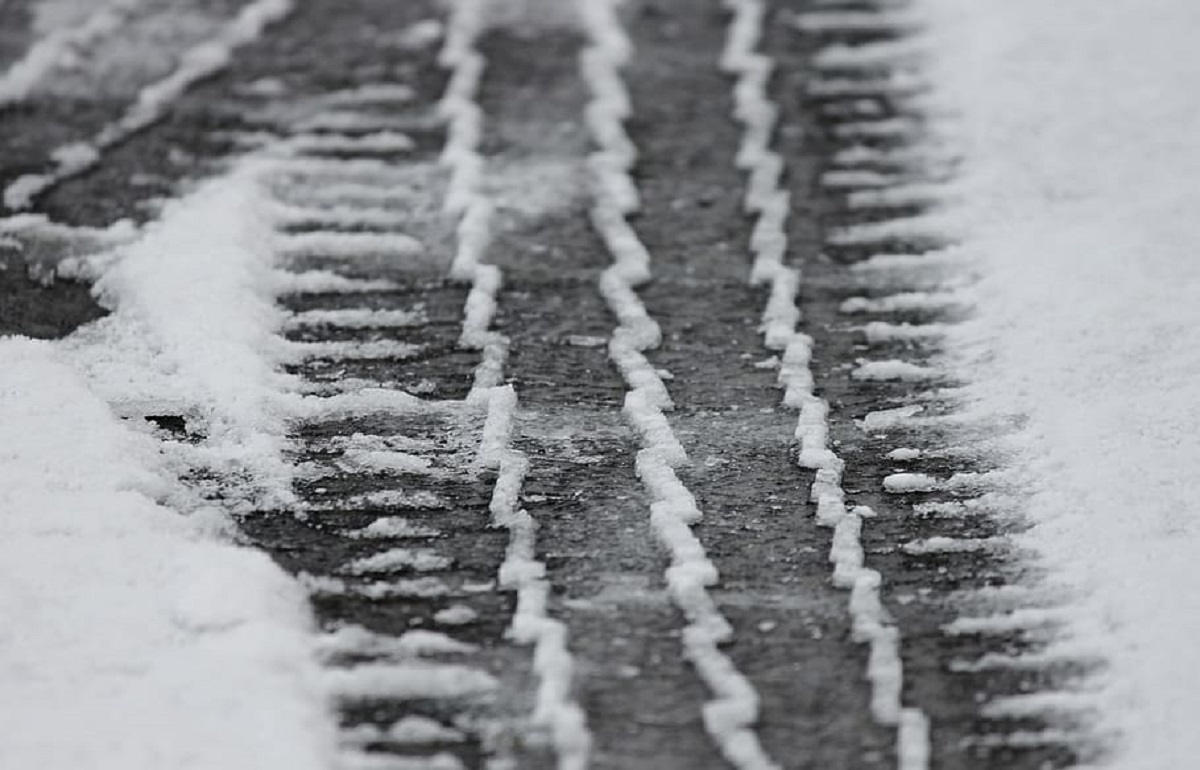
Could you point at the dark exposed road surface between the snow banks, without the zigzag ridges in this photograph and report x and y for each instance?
(392, 478)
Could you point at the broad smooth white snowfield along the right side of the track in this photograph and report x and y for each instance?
(1079, 125)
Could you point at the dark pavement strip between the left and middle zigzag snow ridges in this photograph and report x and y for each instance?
(581, 489)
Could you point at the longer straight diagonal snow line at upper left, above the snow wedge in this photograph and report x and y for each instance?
(153, 103)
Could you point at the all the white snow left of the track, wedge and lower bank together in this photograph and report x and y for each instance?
(137, 635)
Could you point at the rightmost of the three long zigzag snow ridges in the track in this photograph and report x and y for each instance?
(871, 624)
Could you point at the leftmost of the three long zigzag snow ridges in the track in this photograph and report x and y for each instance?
(555, 708)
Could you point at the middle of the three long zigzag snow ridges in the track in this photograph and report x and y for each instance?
(734, 711)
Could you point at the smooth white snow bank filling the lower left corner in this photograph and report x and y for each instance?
(134, 639)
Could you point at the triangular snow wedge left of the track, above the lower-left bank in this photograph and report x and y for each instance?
(194, 330)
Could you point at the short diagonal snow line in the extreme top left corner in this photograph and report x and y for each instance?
(23, 76)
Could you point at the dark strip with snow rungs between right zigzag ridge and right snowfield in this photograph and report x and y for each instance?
(971, 609)
